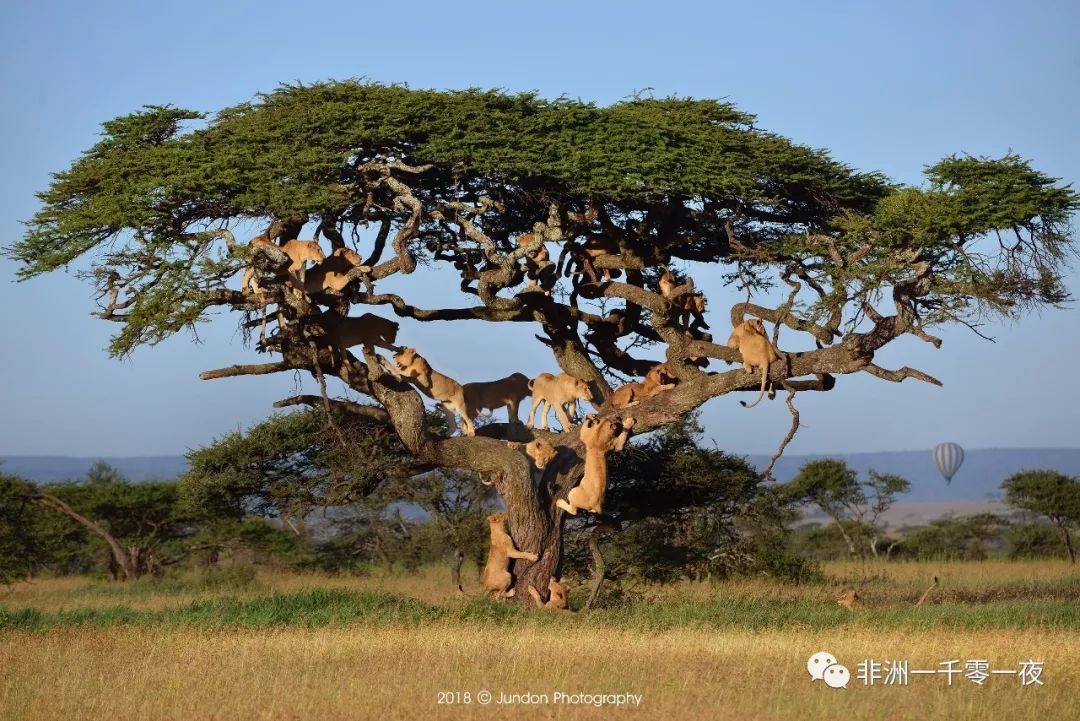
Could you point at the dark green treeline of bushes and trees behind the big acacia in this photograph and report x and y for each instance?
(291, 494)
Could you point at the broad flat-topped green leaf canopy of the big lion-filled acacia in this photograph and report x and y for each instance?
(143, 199)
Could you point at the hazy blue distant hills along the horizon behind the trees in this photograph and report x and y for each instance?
(979, 480)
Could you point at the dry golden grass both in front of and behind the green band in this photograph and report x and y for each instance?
(398, 670)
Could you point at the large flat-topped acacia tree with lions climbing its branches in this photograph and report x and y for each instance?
(454, 179)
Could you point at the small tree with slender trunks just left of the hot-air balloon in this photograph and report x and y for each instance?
(833, 487)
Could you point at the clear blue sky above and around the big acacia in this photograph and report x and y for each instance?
(886, 87)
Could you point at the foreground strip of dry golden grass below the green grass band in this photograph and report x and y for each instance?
(397, 674)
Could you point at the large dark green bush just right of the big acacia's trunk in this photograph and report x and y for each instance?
(688, 511)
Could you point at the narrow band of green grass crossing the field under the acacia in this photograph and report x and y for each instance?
(323, 607)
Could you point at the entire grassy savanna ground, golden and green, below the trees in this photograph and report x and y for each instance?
(389, 646)
